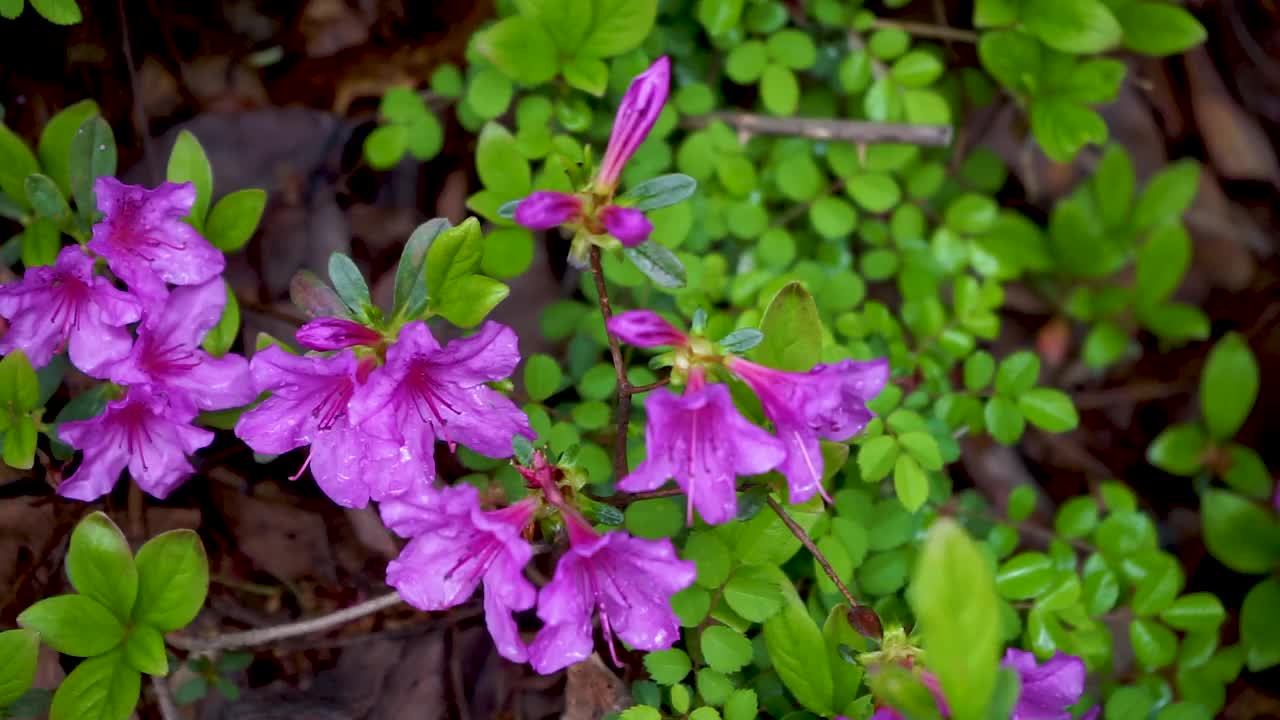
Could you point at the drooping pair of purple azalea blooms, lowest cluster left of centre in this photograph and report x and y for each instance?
(456, 548)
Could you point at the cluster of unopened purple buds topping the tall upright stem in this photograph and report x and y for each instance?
(595, 211)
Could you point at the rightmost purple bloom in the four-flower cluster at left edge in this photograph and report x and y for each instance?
(168, 356)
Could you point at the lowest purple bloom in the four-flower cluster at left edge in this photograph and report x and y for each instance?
(141, 432)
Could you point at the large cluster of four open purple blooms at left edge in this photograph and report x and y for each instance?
(164, 376)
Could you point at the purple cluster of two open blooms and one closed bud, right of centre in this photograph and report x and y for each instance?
(705, 444)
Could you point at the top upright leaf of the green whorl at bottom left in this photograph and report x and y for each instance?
(100, 566)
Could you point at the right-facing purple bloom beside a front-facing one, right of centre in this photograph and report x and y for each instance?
(829, 403)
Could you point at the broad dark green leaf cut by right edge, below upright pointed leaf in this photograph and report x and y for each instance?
(1241, 535)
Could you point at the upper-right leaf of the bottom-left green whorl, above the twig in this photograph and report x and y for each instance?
(173, 580)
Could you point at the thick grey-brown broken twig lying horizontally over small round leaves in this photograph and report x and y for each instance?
(829, 129)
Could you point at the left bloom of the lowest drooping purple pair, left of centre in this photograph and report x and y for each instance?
(454, 548)
